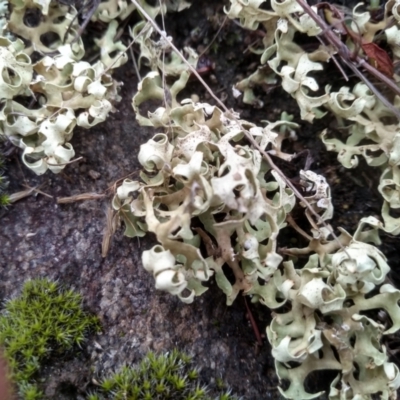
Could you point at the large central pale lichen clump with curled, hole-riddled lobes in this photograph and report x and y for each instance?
(213, 179)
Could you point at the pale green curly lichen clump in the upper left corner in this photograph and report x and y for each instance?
(70, 92)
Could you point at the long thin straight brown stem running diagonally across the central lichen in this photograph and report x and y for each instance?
(249, 137)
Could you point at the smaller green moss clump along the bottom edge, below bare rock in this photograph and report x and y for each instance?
(168, 376)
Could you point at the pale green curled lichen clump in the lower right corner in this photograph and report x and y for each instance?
(335, 285)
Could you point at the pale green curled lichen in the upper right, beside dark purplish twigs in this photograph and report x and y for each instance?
(367, 119)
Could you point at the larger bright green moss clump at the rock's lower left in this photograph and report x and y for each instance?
(45, 320)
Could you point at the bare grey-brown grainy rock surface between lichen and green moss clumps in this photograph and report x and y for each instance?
(39, 238)
